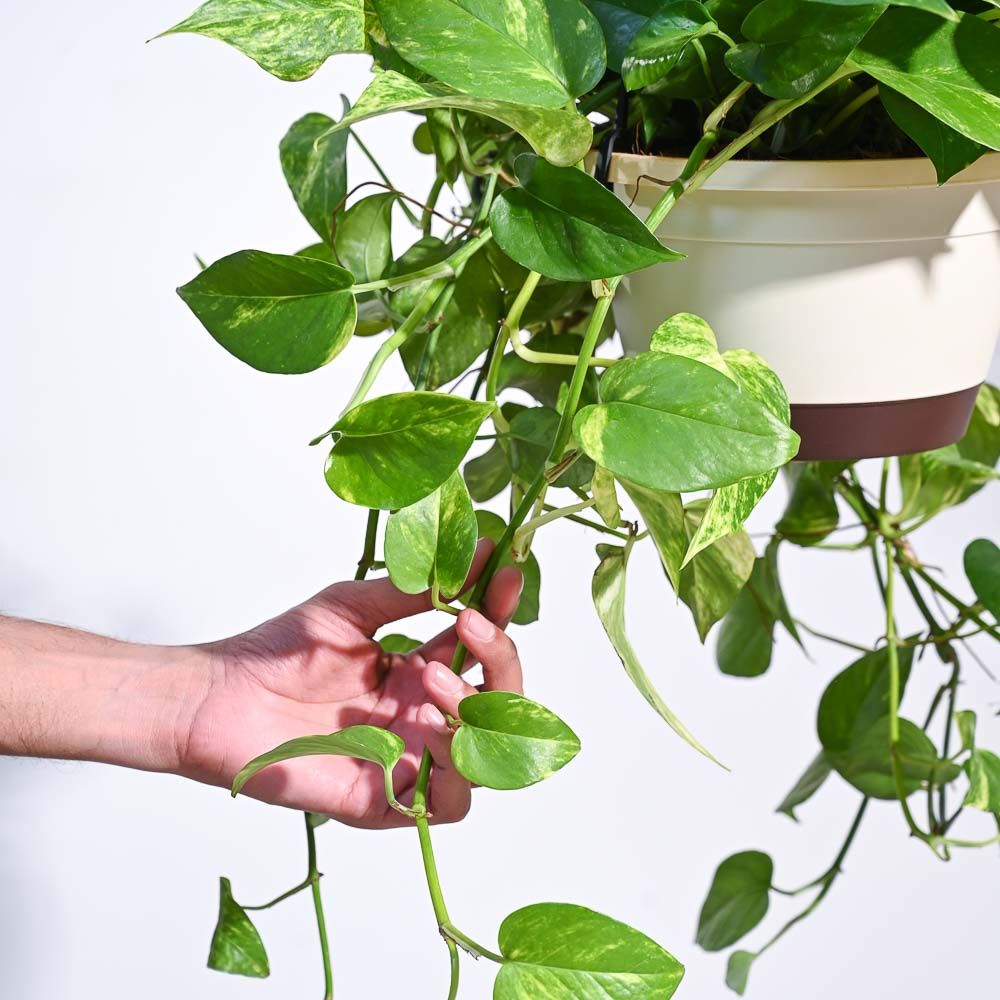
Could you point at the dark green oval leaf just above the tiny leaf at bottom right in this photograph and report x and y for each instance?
(737, 900)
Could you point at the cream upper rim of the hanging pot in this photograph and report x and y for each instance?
(805, 175)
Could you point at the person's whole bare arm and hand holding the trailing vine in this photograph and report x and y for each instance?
(204, 711)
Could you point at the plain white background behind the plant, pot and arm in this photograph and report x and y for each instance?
(153, 488)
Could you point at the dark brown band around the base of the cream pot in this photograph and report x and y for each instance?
(849, 431)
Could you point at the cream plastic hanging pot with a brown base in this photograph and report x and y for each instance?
(874, 293)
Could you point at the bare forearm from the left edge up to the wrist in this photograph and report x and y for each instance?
(77, 696)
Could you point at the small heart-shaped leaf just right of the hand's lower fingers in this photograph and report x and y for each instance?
(507, 742)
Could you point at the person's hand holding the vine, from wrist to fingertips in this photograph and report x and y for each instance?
(316, 669)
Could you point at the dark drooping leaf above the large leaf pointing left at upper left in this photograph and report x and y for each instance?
(314, 162)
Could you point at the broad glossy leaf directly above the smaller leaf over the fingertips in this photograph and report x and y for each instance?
(392, 451)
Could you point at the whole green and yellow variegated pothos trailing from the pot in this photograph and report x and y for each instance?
(517, 288)
